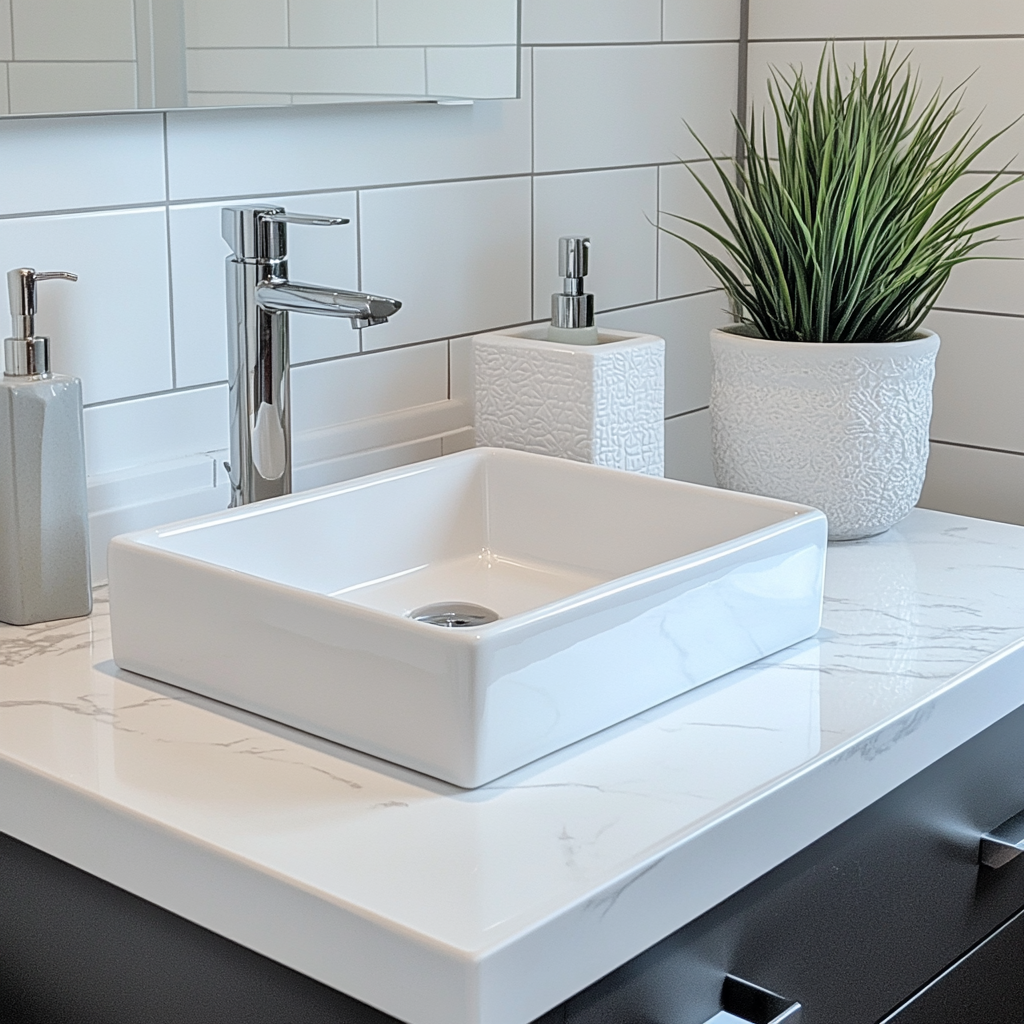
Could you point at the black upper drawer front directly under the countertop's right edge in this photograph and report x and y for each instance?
(857, 923)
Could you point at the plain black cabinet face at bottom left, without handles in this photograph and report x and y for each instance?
(77, 951)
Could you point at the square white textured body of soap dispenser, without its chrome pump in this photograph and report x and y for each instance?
(600, 404)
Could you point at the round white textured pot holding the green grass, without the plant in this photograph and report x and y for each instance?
(841, 428)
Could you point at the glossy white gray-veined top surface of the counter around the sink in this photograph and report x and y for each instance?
(907, 614)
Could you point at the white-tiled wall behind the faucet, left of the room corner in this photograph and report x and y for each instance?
(455, 210)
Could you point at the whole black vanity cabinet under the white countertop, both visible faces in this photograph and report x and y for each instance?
(889, 918)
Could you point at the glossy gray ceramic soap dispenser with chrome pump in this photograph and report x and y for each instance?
(45, 525)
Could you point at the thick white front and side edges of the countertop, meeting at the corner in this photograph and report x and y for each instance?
(570, 950)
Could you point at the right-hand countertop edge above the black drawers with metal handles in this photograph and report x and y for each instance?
(586, 942)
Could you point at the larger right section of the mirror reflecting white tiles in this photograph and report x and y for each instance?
(239, 48)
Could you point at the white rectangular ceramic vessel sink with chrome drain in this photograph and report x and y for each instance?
(611, 592)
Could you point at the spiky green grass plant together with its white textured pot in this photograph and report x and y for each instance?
(841, 228)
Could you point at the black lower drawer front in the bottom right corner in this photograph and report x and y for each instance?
(987, 987)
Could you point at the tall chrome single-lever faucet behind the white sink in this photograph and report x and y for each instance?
(260, 300)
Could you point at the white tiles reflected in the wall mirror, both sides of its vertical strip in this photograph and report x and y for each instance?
(57, 56)
